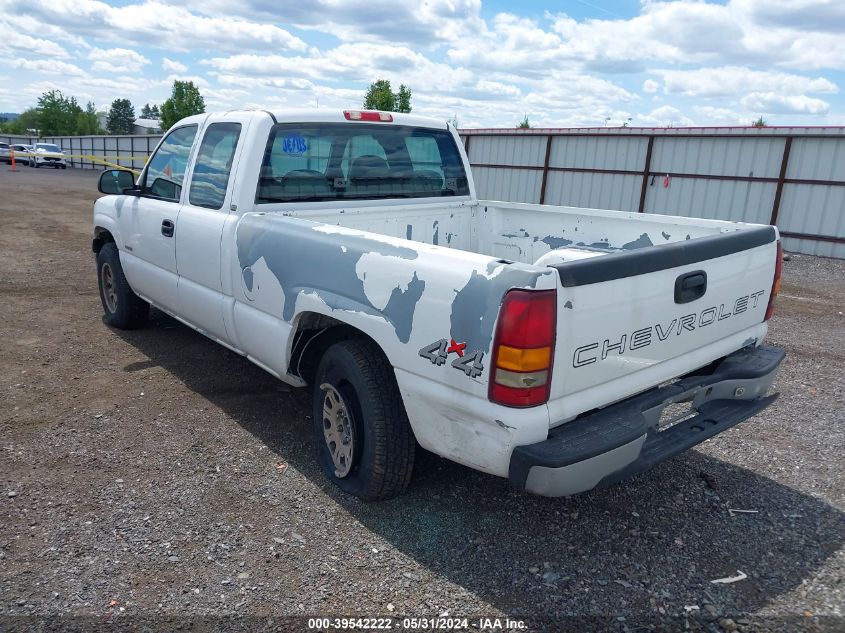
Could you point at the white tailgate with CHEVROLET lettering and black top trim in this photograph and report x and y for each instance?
(623, 327)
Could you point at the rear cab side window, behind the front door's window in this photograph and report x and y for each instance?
(213, 165)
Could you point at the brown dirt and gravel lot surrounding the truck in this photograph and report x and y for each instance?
(143, 477)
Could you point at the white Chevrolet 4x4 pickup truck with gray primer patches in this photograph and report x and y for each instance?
(348, 251)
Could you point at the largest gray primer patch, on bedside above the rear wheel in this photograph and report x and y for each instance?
(306, 260)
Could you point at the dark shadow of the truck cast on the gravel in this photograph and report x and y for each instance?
(654, 542)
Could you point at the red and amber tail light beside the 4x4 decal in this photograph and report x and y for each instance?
(523, 349)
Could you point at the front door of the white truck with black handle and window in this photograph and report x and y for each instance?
(148, 222)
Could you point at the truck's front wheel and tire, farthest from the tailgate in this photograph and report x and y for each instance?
(122, 307)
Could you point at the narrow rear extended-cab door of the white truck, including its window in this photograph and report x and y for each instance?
(200, 225)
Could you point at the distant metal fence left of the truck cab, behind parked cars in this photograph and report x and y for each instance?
(96, 152)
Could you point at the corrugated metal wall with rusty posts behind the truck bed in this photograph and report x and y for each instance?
(791, 177)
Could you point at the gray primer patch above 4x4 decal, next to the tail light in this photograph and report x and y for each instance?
(476, 305)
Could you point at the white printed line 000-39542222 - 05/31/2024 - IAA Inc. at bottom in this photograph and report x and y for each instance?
(415, 624)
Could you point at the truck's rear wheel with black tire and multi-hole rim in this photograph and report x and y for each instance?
(365, 444)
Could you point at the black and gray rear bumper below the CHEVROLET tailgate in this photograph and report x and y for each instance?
(623, 439)
